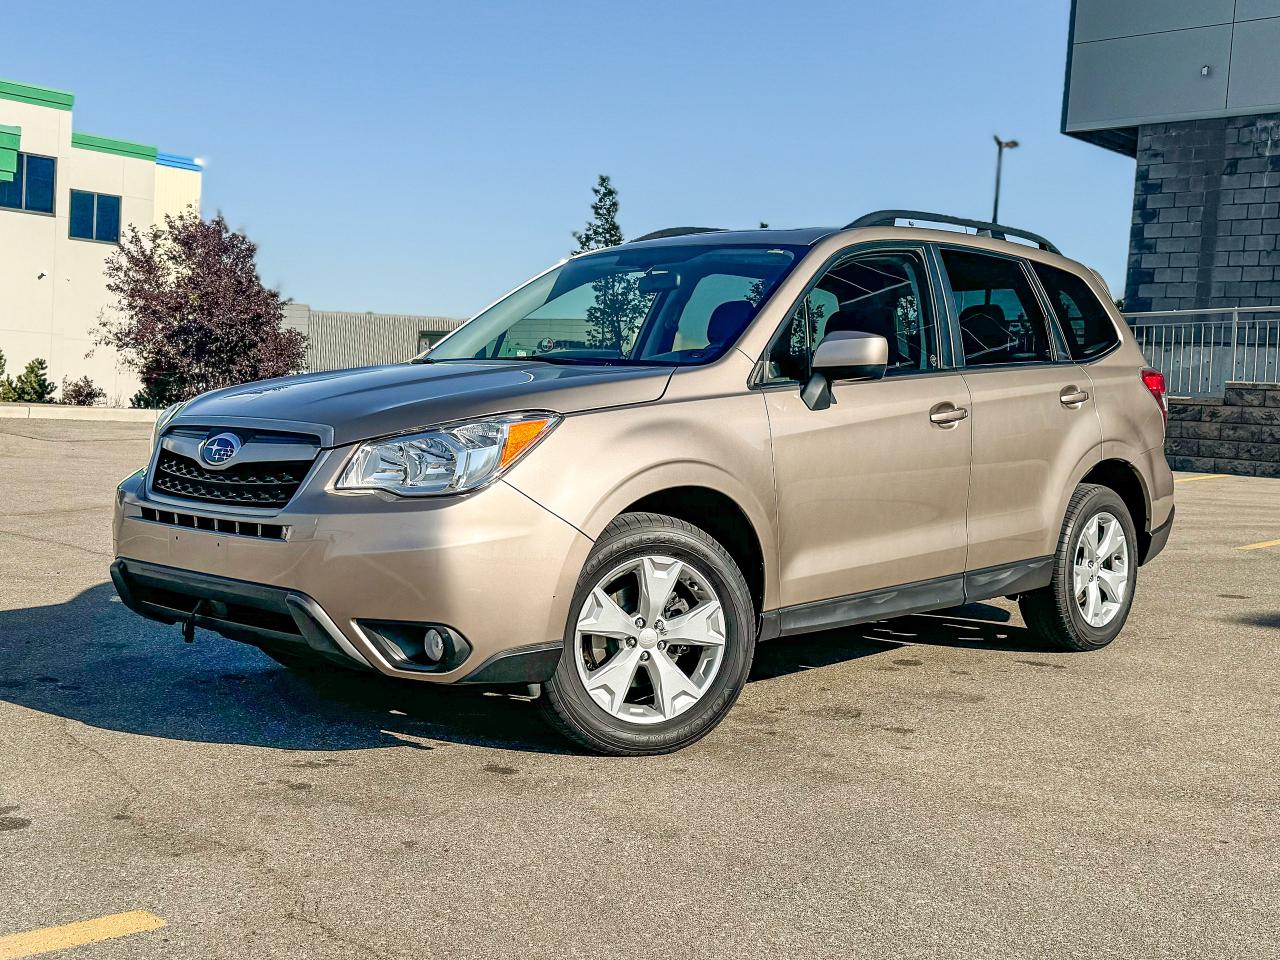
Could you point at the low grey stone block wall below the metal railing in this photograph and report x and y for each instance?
(1235, 435)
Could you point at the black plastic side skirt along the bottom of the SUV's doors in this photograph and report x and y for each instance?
(920, 597)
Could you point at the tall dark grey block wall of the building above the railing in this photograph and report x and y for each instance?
(1206, 216)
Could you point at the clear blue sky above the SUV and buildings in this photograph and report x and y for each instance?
(427, 157)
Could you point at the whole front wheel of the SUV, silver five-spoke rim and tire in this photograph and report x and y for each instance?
(660, 642)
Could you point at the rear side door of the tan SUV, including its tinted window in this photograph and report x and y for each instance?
(1034, 420)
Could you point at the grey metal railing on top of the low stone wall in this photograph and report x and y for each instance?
(1200, 356)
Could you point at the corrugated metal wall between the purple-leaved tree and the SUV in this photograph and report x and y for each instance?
(340, 340)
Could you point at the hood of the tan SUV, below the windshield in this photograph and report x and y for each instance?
(359, 405)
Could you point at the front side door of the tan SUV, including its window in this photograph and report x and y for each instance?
(871, 491)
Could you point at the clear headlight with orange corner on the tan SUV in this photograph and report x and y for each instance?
(447, 460)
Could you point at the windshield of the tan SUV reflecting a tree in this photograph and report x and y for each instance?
(669, 305)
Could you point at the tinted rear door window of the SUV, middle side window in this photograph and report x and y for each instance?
(1000, 319)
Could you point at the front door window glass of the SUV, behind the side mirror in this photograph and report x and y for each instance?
(881, 294)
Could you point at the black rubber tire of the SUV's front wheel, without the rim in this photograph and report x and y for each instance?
(566, 703)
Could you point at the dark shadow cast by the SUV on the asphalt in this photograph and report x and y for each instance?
(93, 661)
